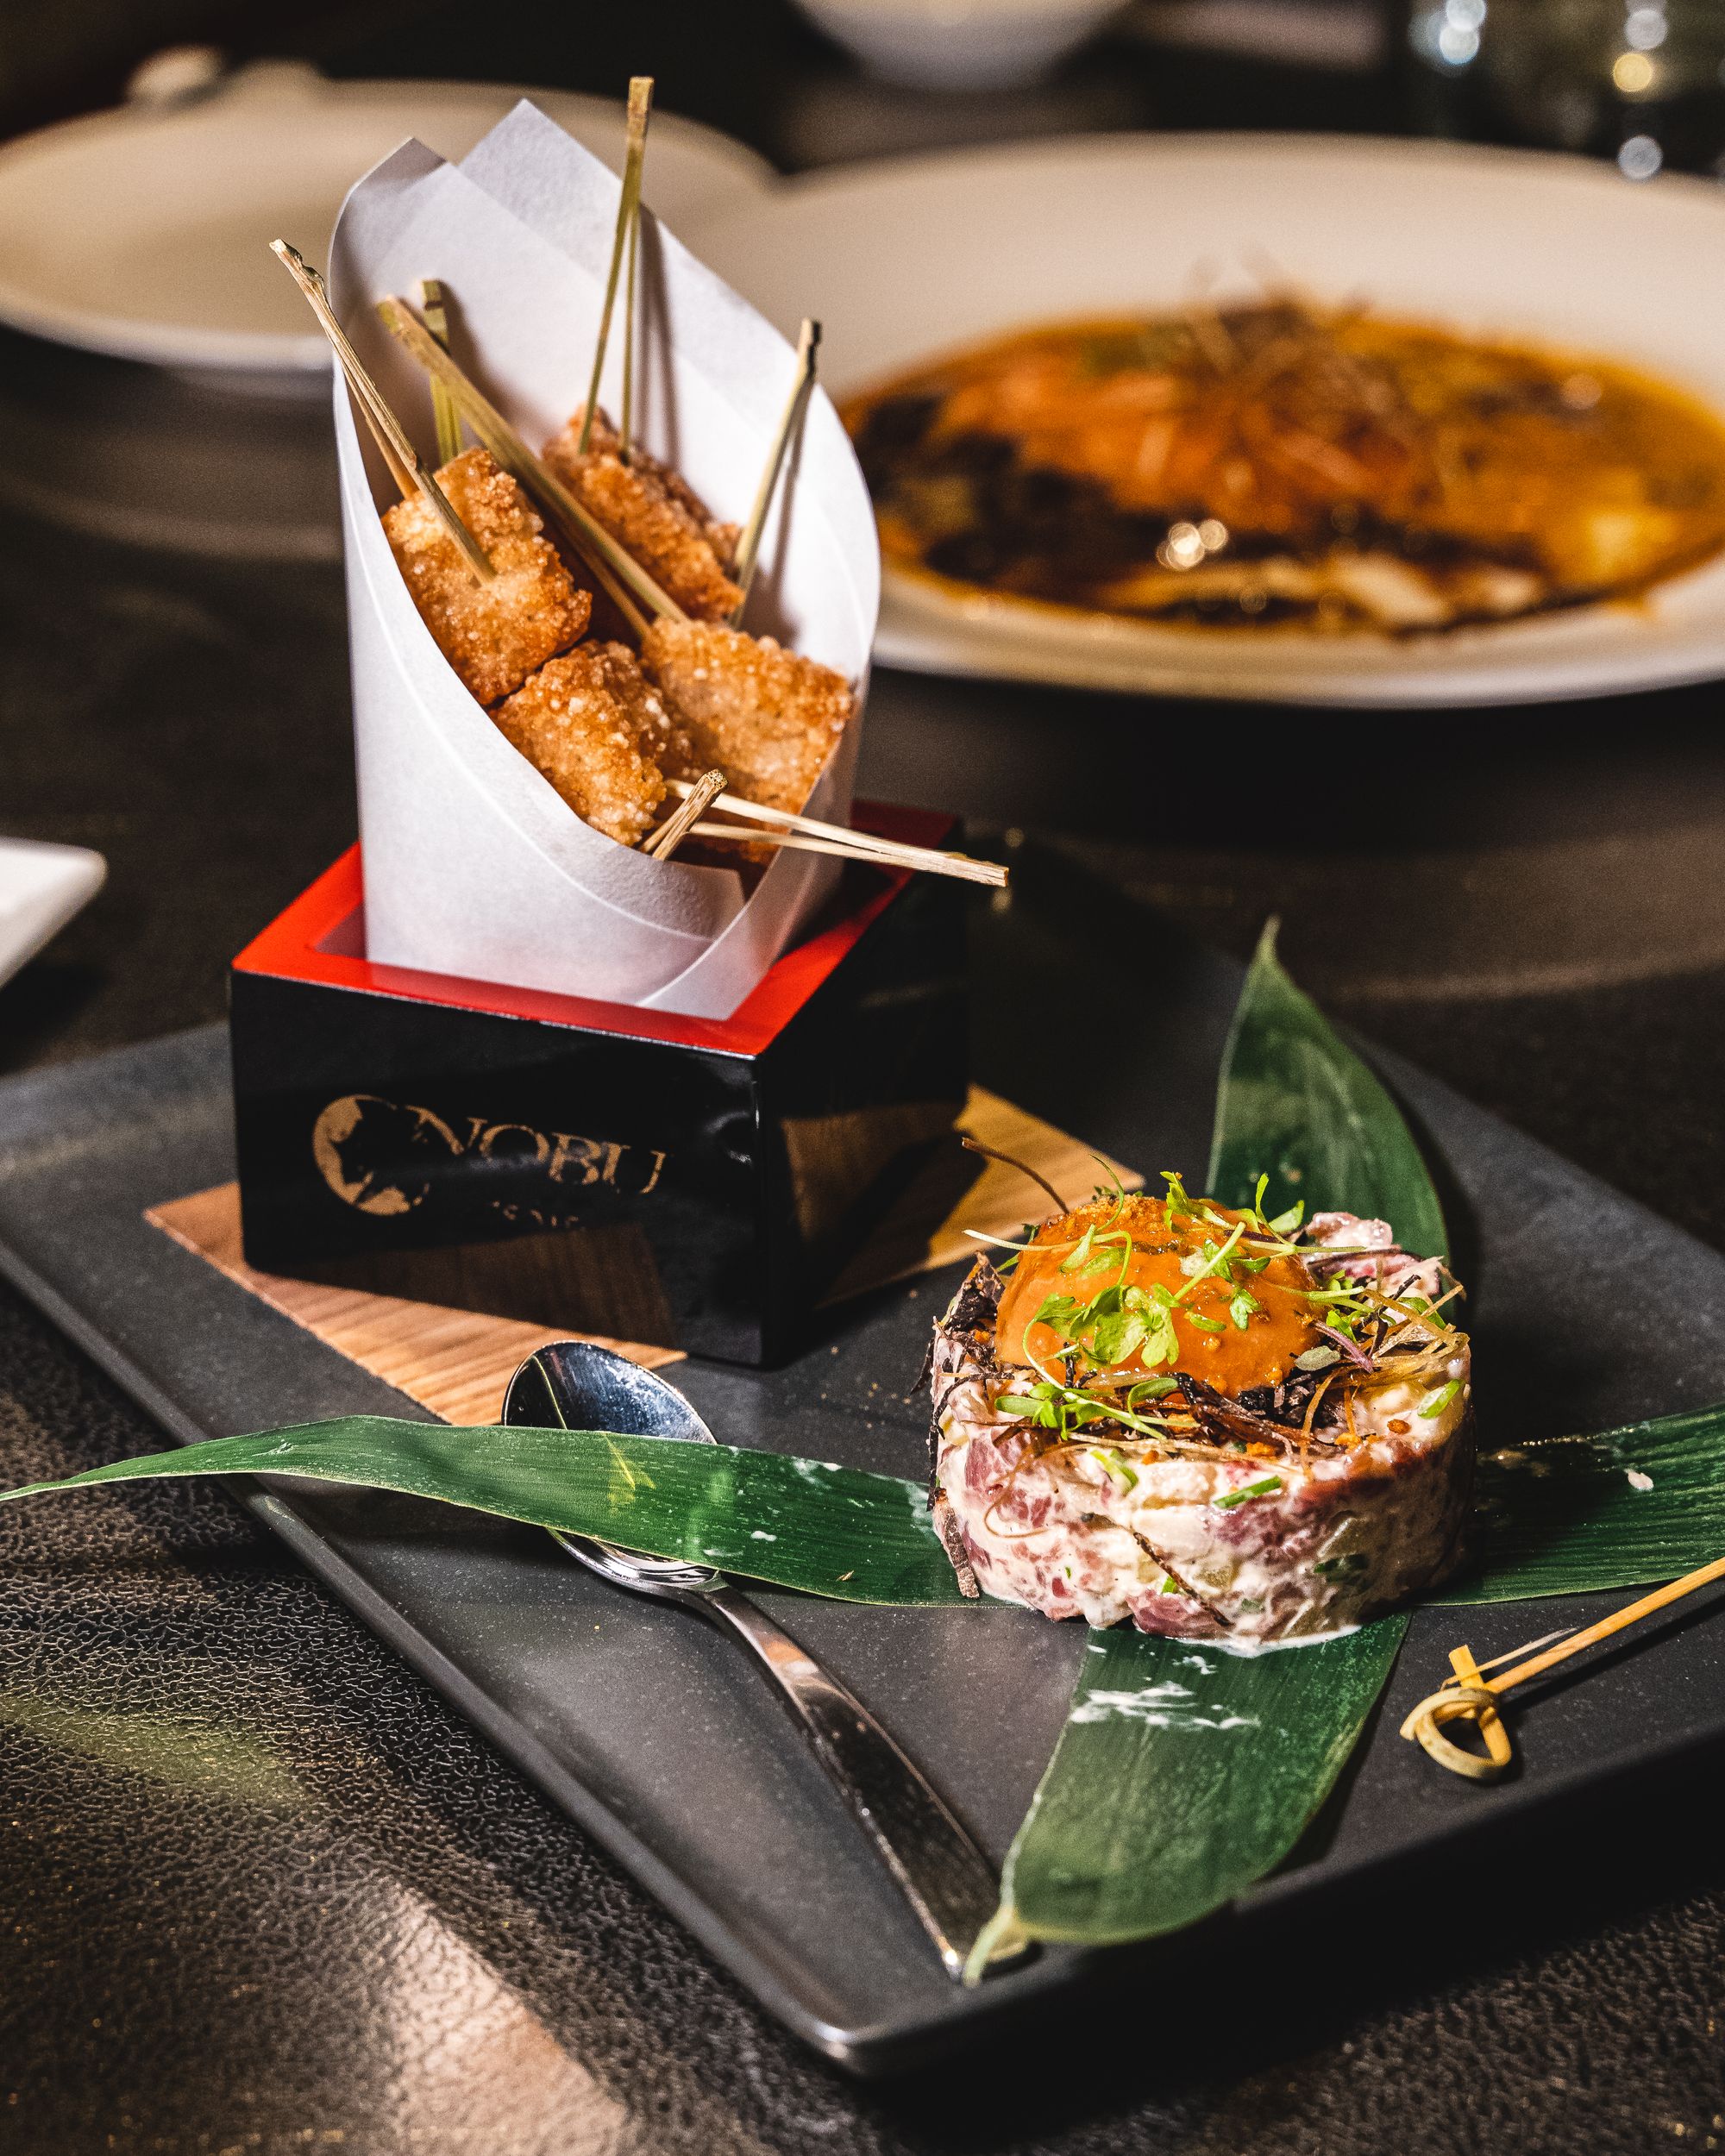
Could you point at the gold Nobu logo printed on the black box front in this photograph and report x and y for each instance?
(385, 1157)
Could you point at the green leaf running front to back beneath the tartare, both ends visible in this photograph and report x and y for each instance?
(1183, 1773)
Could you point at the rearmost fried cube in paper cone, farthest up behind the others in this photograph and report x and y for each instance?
(652, 514)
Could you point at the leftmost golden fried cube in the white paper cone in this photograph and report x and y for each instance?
(493, 635)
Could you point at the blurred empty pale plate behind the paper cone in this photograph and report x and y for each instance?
(146, 232)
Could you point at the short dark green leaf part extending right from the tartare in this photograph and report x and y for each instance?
(1627, 1508)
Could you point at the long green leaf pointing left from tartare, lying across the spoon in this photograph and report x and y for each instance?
(797, 1523)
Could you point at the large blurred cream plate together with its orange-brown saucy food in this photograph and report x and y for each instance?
(1288, 419)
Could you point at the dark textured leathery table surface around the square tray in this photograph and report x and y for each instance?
(262, 1892)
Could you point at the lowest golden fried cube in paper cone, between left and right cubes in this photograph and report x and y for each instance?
(601, 734)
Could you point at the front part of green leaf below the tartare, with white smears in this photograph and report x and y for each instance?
(1183, 1775)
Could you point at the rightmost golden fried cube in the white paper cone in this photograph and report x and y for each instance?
(767, 717)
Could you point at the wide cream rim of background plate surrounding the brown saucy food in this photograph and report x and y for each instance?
(902, 262)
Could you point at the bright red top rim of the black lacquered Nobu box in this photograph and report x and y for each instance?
(318, 939)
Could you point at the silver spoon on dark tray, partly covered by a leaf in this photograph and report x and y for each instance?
(943, 1875)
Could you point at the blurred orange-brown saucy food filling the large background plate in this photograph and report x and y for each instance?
(1280, 465)
